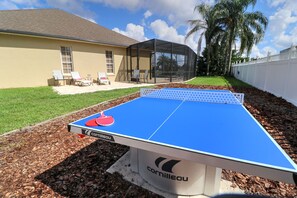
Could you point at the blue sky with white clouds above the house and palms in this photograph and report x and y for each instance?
(167, 19)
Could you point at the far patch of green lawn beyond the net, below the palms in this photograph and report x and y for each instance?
(217, 81)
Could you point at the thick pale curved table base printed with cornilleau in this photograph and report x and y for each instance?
(177, 176)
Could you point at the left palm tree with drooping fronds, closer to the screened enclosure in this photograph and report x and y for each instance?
(209, 27)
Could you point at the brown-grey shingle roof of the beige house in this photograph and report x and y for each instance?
(59, 24)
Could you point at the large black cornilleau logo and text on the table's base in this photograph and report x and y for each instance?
(167, 167)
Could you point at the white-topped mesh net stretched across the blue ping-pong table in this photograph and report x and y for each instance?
(194, 95)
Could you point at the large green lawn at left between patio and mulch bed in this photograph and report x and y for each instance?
(22, 107)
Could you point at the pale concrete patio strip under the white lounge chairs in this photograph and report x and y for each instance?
(72, 89)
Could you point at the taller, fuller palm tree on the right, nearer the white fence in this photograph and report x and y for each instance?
(249, 28)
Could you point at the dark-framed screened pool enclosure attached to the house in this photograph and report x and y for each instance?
(162, 61)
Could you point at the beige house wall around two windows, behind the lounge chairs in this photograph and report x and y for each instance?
(29, 61)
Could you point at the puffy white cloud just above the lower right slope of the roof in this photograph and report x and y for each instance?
(133, 31)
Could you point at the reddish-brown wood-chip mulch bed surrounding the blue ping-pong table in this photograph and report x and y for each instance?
(48, 161)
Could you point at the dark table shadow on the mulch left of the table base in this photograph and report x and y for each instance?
(83, 174)
